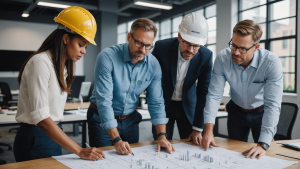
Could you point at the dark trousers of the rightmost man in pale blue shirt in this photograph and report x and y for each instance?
(239, 123)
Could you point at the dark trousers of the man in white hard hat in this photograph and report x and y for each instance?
(175, 112)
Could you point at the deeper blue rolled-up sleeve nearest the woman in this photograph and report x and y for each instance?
(104, 91)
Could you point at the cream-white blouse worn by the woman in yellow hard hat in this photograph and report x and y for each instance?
(40, 95)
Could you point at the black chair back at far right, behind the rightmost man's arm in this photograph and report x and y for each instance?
(287, 120)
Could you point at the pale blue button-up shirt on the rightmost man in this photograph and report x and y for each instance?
(260, 83)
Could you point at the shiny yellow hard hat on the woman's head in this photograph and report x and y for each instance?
(78, 20)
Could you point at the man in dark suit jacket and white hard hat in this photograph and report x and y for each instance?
(186, 70)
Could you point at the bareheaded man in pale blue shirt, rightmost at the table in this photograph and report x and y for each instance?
(256, 87)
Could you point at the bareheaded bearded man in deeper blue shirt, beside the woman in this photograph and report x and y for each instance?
(122, 73)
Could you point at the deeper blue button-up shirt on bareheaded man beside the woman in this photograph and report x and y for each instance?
(118, 84)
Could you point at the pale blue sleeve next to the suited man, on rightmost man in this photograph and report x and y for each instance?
(215, 92)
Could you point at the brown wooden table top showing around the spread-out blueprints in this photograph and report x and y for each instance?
(233, 145)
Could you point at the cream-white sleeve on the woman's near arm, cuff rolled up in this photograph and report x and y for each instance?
(37, 78)
